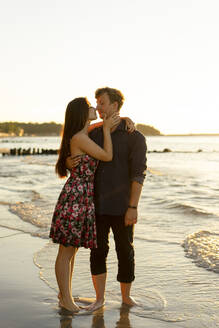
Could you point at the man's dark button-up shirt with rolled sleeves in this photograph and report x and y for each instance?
(113, 179)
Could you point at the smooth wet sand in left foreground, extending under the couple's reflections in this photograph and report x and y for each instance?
(26, 301)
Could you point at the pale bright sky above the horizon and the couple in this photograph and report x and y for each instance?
(162, 54)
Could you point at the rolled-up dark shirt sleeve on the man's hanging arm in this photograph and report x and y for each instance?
(137, 157)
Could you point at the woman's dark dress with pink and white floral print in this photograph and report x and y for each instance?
(73, 222)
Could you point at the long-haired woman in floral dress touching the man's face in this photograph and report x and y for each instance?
(73, 223)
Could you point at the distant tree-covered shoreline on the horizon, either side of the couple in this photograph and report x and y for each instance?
(54, 129)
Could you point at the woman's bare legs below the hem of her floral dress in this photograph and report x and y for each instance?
(64, 269)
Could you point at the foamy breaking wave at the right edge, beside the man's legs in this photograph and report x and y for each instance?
(203, 248)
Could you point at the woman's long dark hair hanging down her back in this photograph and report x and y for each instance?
(76, 116)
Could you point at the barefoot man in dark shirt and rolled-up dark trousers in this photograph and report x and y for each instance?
(117, 186)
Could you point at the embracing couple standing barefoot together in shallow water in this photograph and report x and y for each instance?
(107, 166)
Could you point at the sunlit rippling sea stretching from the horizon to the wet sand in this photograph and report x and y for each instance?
(176, 236)
